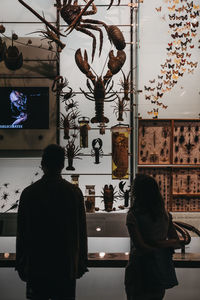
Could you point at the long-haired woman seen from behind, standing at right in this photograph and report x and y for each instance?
(153, 239)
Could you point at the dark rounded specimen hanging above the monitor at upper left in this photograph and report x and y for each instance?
(13, 59)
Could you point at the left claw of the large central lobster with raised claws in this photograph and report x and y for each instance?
(83, 64)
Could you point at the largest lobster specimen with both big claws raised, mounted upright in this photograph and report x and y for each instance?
(101, 91)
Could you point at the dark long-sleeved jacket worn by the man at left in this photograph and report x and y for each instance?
(51, 230)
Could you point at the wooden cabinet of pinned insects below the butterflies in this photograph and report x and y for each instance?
(178, 175)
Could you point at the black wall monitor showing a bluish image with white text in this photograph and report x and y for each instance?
(24, 107)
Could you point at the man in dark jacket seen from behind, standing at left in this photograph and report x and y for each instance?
(51, 247)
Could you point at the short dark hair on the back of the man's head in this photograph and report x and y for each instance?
(53, 157)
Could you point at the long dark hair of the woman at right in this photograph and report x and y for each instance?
(147, 197)
